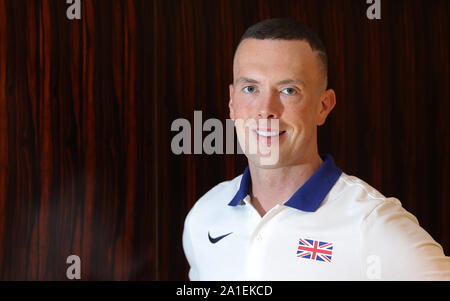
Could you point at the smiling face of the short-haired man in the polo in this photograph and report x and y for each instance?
(279, 80)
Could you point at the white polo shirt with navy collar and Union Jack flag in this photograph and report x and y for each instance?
(335, 227)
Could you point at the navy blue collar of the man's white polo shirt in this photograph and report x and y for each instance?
(310, 195)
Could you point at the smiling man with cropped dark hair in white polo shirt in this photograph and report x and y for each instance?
(300, 217)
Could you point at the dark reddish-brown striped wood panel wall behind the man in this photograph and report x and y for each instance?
(86, 107)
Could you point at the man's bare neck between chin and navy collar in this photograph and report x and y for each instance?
(275, 186)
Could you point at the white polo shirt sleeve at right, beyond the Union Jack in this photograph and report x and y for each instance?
(395, 247)
